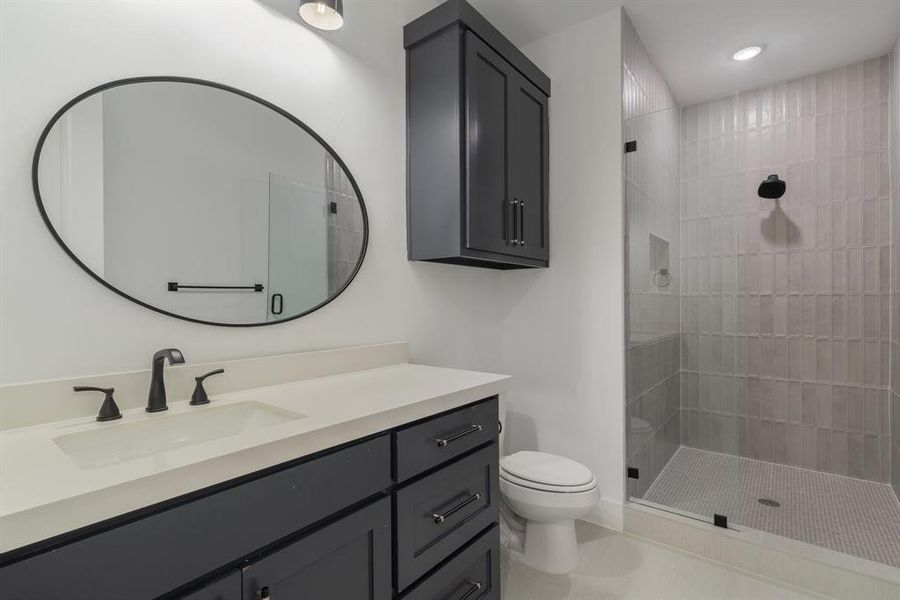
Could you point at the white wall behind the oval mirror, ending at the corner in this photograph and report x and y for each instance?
(55, 321)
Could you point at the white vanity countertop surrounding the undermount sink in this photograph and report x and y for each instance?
(44, 493)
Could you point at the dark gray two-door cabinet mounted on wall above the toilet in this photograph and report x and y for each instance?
(477, 144)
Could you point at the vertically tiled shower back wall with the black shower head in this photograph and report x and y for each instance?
(786, 306)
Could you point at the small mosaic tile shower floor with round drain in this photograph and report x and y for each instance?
(853, 516)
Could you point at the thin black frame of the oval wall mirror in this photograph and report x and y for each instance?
(226, 88)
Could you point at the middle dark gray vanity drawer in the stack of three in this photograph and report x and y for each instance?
(438, 514)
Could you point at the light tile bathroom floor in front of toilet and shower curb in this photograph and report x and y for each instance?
(618, 566)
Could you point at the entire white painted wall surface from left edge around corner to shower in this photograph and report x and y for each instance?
(562, 329)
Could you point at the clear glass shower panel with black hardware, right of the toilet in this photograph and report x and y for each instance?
(681, 412)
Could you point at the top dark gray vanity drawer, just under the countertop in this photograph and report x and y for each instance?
(426, 445)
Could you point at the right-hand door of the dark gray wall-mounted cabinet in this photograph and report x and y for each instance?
(529, 154)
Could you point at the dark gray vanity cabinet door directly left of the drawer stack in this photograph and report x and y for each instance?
(349, 559)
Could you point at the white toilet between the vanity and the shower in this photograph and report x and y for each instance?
(548, 493)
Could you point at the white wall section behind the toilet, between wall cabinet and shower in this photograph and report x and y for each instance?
(563, 328)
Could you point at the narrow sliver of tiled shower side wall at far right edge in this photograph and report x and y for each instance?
(895, 269)
